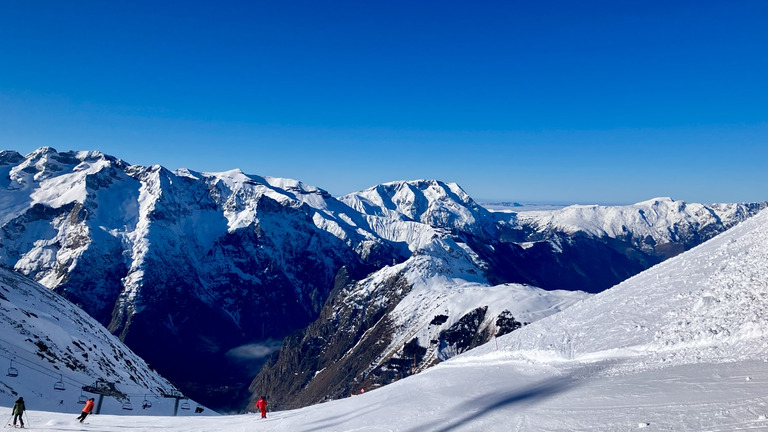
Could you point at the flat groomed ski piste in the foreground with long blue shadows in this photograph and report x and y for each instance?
(501, 396)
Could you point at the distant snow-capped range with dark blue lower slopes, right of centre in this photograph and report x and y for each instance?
(589, 248)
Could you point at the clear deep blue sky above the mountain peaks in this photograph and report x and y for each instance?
(535, 101)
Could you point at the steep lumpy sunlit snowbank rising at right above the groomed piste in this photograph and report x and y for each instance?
(706, 305)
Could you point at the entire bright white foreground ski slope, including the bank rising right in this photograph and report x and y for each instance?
(681, 347)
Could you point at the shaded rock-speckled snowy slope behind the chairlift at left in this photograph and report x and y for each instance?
(50, 349)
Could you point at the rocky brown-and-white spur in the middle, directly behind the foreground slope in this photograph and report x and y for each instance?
(398, 322)
